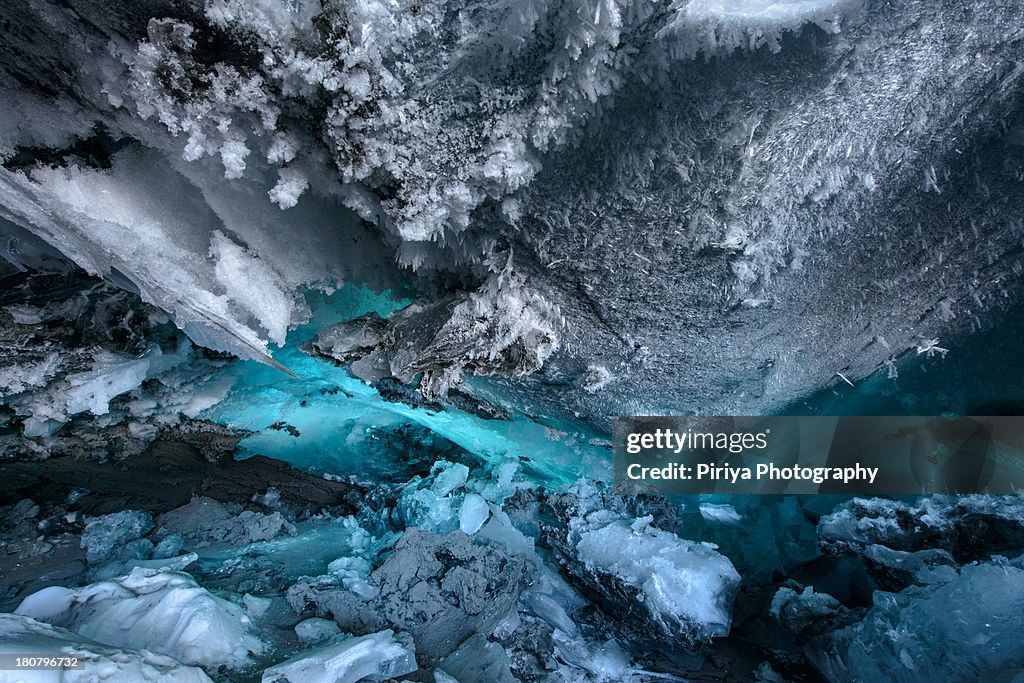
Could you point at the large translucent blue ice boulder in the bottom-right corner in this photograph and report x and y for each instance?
(968, 629)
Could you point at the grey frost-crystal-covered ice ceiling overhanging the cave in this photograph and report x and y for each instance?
(653, 207)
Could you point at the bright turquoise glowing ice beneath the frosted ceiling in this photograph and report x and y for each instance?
(329, 422)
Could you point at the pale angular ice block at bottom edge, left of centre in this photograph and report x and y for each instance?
(377, 657)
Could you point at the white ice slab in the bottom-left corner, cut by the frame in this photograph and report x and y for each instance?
(21, 635)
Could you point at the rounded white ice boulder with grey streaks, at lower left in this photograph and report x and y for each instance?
(159, 611)
